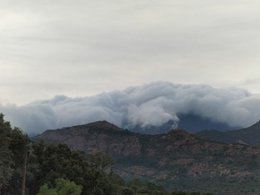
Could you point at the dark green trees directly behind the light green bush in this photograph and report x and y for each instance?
(58, 161)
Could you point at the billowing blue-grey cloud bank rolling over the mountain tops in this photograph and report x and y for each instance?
(149, 105)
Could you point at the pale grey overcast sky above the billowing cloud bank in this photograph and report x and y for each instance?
(83, 47)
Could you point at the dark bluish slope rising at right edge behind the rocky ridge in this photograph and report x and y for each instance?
(250, 135)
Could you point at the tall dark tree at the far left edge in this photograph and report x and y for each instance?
(13, 148)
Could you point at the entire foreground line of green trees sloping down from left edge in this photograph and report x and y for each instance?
(31, 168)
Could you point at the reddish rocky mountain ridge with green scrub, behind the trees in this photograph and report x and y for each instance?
(178, 160)
